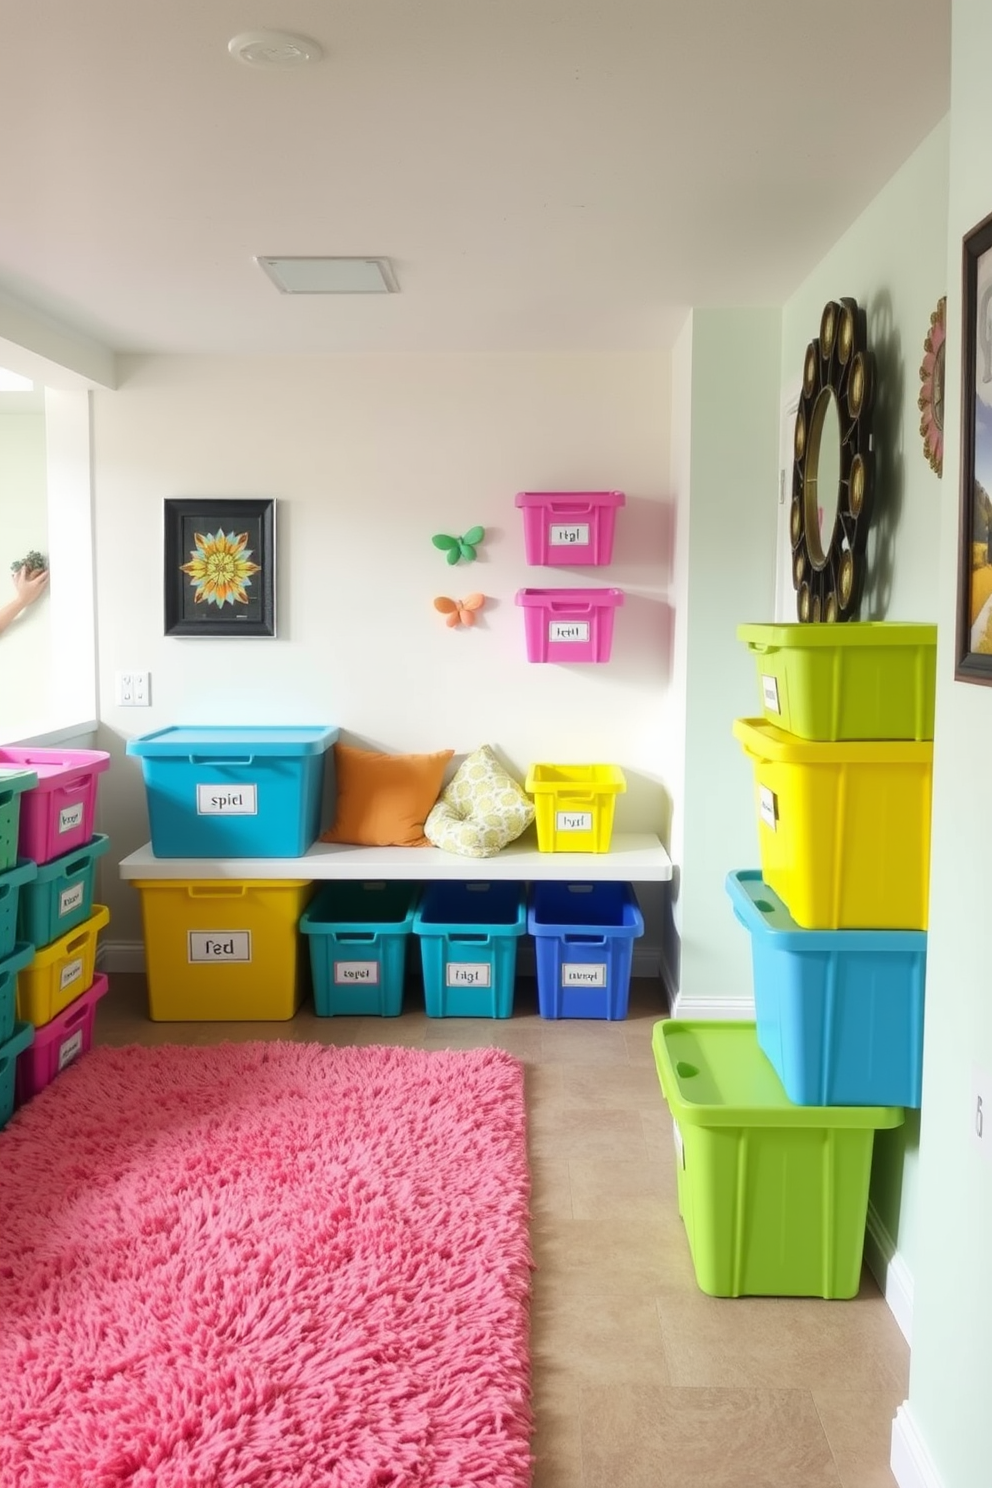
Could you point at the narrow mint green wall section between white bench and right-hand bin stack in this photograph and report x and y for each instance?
(727, 548)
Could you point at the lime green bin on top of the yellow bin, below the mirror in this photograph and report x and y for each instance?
(862, 681)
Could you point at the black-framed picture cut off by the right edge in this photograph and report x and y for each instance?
(975, 526)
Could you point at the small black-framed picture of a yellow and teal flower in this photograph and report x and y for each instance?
(219, 568)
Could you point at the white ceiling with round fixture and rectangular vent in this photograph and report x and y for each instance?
(545, 175)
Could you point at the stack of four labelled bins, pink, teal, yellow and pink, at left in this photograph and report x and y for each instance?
(56, 917)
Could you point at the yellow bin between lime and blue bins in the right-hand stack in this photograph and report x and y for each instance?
(844, 830)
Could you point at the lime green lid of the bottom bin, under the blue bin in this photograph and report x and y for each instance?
(716, 1075)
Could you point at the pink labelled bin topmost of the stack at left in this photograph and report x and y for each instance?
(57, 816)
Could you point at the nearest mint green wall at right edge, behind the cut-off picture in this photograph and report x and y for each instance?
(953, 1312)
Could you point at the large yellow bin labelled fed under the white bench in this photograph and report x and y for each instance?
(224, 950)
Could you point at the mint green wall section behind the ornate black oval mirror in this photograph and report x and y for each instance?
(893, 261)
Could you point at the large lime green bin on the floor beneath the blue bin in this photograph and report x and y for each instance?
(774, 1196)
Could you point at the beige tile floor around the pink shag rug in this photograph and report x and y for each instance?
(642, 1382)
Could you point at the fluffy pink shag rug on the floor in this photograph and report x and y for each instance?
(267, 1266)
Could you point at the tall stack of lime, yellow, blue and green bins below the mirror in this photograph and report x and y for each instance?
(838, 914)
